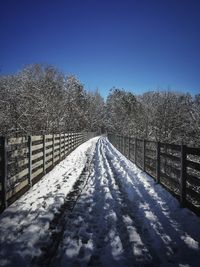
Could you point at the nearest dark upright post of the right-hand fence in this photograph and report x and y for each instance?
(183, 176)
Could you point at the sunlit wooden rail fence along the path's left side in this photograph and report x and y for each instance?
(24, 160)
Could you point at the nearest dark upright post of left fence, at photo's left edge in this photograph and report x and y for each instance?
(4, 170)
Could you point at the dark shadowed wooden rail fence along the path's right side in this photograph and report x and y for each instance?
(176, 167)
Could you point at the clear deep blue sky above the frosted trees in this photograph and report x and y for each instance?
(132, 44)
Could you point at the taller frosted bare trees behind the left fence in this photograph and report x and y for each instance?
(41, 100)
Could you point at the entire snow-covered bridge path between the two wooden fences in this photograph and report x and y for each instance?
(96, 208)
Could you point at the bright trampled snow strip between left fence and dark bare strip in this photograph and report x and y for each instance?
(24, 226)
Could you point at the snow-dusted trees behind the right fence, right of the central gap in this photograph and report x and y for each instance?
(159, 116)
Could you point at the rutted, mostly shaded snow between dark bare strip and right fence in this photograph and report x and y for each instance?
(124, 219)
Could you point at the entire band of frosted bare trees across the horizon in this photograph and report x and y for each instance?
(40, 100)
